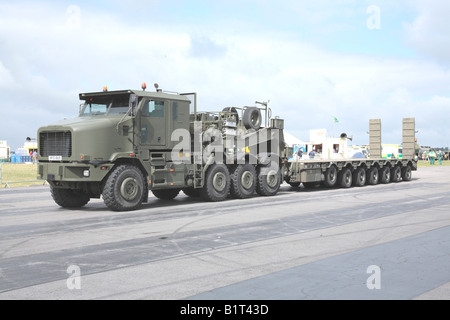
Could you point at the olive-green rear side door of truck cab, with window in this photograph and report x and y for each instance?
(154, 123)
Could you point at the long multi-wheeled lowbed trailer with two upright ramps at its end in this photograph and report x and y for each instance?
(358, 172)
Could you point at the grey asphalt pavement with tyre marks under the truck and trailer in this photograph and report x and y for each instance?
(374, 242)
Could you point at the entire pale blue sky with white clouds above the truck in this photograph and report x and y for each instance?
(314, 60)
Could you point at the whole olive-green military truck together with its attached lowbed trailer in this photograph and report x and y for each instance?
(126, 143)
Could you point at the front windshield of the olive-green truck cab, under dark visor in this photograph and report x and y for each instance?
(105, 105)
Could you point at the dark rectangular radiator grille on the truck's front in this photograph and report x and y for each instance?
(55, 144)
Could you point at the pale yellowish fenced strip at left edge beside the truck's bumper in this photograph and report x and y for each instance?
(19, 174)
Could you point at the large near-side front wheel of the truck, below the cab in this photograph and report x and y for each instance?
(124, 188)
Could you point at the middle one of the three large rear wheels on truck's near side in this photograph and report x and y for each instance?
(243, 181)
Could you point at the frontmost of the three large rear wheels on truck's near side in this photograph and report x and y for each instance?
(217, 183)
